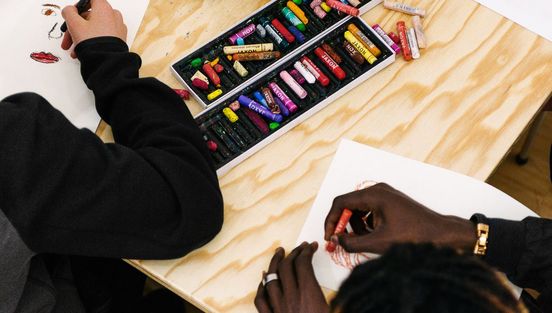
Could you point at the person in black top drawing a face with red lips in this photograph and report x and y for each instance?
(71, 206)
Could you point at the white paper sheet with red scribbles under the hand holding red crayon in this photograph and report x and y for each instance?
(442, 190)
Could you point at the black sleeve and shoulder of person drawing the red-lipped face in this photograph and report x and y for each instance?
(153, 195)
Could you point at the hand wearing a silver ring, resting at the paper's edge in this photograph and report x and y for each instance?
(296, 289)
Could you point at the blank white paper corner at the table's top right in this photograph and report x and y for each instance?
(535, 15)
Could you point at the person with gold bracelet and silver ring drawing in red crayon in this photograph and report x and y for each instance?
(417, 278)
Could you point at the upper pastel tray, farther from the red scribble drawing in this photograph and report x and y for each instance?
(250, 49)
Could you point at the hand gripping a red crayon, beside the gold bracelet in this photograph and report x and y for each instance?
(395, 218)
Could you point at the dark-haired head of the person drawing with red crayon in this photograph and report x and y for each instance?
(413, 278)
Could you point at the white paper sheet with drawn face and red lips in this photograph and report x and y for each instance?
(25, 30)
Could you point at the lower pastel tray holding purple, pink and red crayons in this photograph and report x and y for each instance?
(292, 91)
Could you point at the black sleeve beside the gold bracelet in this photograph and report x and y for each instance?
(523, 251)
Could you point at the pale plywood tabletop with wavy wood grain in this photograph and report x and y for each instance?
(461, 106)
